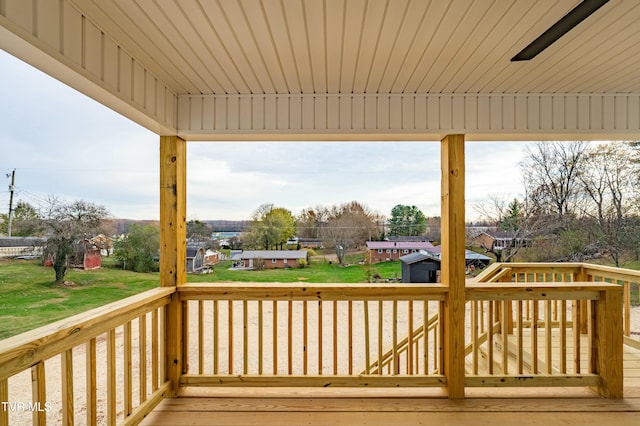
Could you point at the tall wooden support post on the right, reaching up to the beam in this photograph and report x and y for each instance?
(453, 261)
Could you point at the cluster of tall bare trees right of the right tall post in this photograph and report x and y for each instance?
(580, 202)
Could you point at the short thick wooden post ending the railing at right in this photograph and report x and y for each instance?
(609, 340)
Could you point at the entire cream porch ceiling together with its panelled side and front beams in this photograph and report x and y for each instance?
(362, 69)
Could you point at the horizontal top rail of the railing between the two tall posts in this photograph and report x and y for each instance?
(303, 291)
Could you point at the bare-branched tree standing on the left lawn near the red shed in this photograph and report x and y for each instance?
(66, 223)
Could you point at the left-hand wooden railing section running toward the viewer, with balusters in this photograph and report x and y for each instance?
(109, 362)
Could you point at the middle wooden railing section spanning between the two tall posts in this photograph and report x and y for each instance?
(315, 335)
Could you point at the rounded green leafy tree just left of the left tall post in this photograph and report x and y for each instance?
(138, 250)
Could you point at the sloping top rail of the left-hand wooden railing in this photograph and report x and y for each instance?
(20, 352)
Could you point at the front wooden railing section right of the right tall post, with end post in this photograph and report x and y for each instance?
(519, 335)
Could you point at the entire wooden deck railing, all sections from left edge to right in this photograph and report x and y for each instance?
(527, 325)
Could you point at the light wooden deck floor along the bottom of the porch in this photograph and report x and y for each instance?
(301, 406)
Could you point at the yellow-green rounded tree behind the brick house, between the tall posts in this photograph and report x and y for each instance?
(271, 227)
